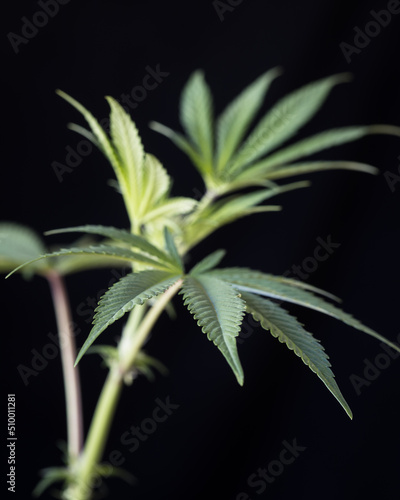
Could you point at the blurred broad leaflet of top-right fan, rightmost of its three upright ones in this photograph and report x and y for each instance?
(284, 120)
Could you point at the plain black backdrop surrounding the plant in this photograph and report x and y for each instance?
(221, 433)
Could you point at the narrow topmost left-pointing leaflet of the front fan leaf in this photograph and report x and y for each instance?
(113, 233)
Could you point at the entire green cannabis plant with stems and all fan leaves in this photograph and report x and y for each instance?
(242, 165)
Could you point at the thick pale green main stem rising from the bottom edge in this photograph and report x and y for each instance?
(106, 406)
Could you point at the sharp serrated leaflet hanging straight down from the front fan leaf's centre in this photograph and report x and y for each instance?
(219, 311)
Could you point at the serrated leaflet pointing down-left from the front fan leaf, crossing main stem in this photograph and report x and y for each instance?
(131, 290)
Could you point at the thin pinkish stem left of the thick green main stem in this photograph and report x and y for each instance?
(73, 400)
